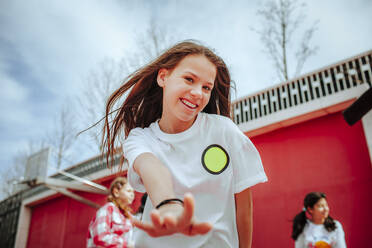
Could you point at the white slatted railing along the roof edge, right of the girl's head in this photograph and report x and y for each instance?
(324, 83)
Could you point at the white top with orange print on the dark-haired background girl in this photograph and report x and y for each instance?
(315, 235)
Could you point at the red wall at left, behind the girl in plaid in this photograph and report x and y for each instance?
(63, 222)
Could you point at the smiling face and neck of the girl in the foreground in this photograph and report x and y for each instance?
(186, 91)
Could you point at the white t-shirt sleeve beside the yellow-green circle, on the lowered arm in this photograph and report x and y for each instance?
(246, 161)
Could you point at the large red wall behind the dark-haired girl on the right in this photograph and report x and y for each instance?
(324, 154)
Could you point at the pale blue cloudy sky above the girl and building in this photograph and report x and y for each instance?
(48, 47)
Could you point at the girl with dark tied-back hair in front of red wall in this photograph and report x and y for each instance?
(314, 228)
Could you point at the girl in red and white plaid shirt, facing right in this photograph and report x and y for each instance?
(111, 227)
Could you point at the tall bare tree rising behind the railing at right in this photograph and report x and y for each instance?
(280, 19)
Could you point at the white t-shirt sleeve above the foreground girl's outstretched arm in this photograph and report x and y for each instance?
(134, 145)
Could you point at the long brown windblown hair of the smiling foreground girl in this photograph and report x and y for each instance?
(143, 105)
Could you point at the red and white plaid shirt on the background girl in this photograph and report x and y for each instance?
(109, 228)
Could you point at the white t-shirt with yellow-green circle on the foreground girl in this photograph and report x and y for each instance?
(213, 160)
